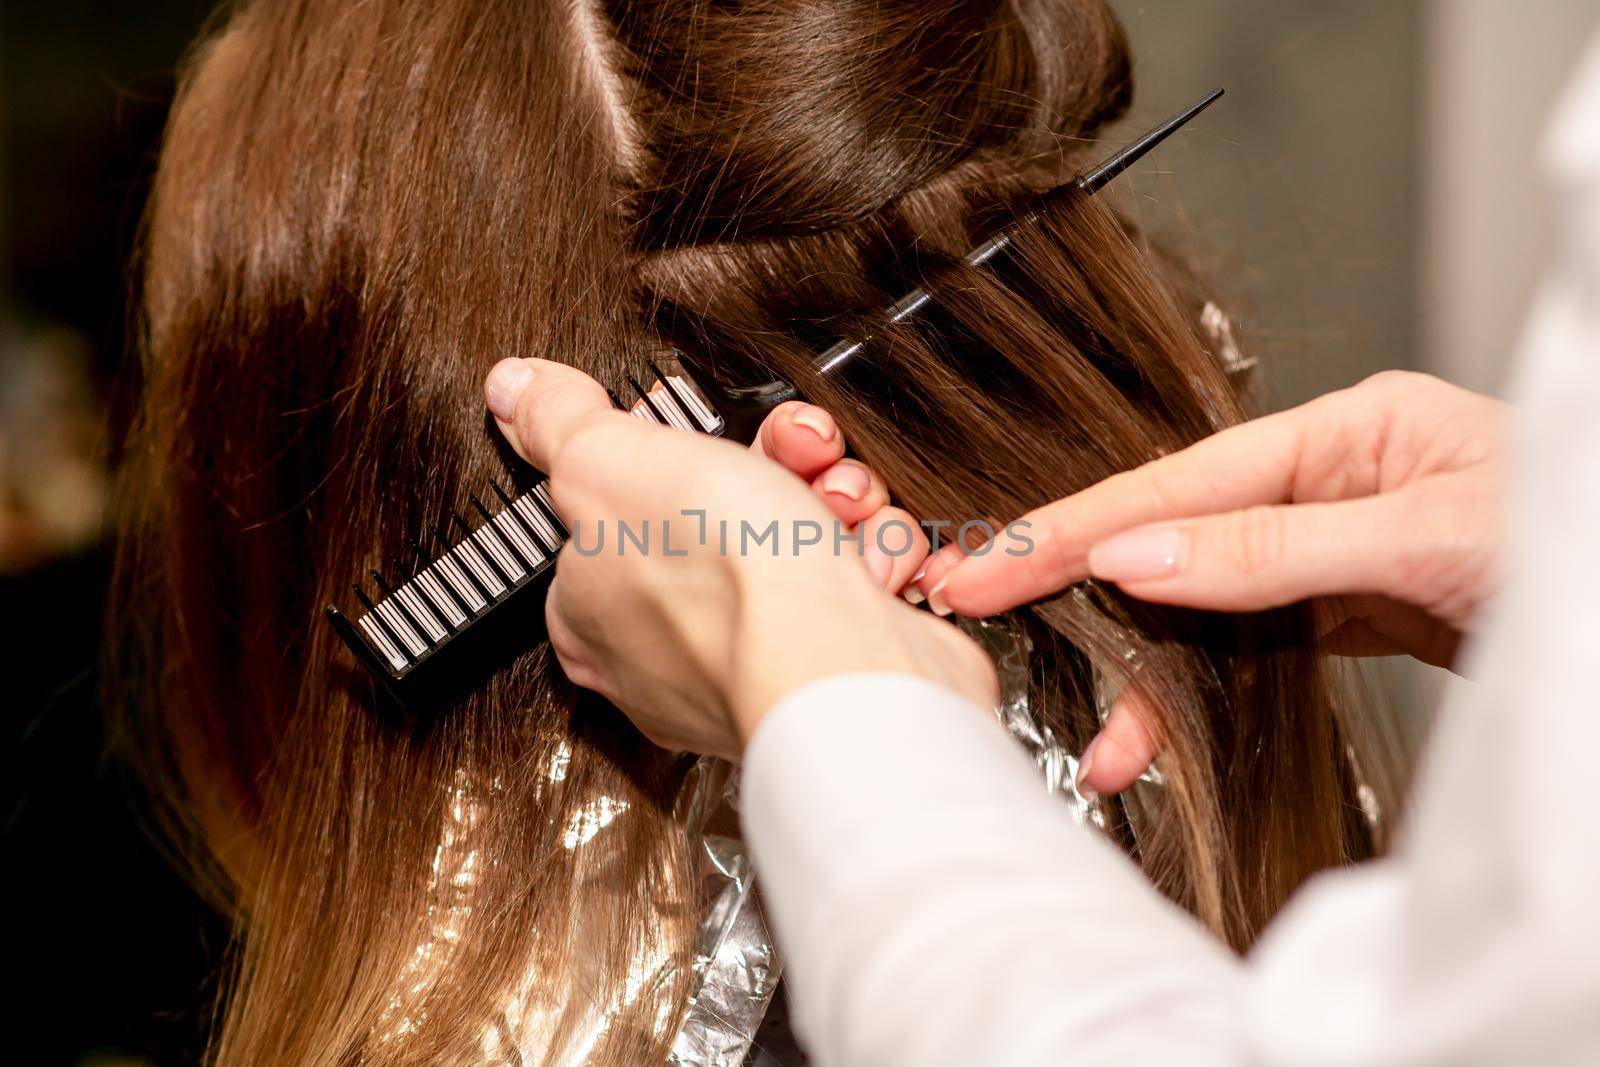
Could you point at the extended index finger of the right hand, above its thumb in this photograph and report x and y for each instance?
(1252, 463)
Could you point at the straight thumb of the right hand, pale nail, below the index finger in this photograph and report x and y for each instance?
(1271, 556)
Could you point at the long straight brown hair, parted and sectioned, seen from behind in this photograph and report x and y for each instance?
(362, 207)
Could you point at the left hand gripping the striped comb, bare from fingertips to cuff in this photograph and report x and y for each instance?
(692, 641)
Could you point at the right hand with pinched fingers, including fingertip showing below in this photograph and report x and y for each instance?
(1380, 503)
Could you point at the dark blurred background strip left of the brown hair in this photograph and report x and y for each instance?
(111, 954)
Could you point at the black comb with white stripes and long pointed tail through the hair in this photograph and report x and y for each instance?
(473, 602)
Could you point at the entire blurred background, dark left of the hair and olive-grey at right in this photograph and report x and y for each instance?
(1361, 198)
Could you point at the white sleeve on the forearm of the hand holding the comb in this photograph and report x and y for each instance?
(935, 906)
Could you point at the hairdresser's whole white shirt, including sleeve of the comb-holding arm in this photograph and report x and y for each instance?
(934, 906)
